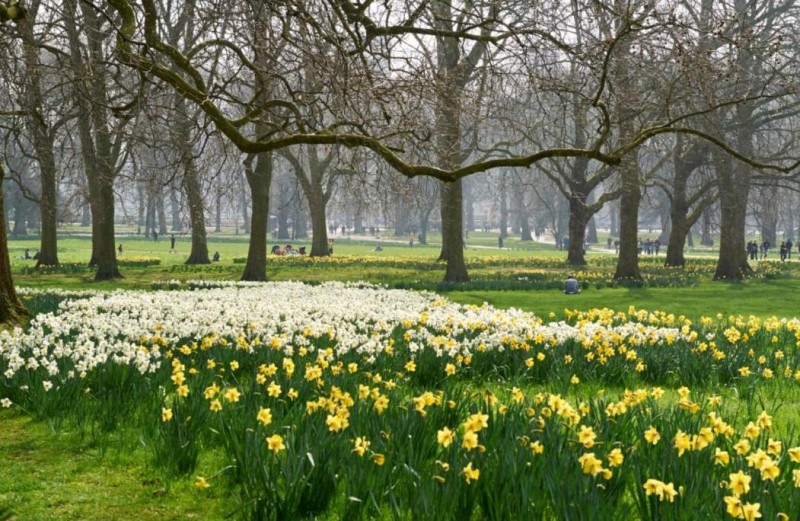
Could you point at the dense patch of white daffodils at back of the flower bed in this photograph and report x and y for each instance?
(121, 326)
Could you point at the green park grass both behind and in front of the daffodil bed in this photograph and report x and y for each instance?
(56, 471)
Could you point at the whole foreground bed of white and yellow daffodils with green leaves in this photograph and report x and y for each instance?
(372, 402)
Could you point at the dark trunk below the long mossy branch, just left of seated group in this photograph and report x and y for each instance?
(259, 180)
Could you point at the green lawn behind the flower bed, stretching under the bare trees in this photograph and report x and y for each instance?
(760, 298)
